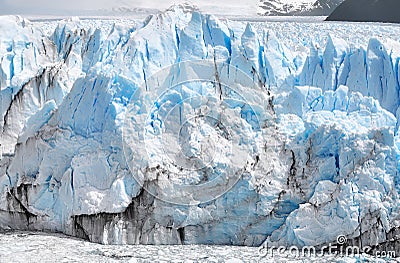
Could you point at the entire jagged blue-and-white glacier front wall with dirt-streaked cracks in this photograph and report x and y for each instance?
(320, 136)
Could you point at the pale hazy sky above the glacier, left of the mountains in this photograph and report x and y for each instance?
(52, 7)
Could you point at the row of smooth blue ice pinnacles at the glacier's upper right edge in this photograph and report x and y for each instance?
(372, 71)
